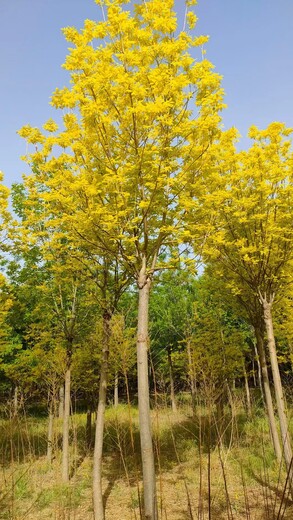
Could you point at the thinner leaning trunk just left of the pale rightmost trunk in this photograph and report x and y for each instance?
(268, 395)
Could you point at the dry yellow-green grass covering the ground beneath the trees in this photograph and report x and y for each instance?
(200, 473)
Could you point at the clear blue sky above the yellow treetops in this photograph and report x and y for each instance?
(251, 45)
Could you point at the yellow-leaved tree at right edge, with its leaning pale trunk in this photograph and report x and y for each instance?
(253, 236)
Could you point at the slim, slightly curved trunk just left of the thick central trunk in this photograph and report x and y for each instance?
(99, 513)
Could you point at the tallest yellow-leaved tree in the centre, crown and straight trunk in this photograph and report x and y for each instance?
(140, 116)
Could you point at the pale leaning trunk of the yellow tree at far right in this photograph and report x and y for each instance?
(286, 442)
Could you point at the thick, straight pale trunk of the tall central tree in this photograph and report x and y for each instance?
(147, 454)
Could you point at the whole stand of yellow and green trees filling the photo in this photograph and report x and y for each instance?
(142, 180)
